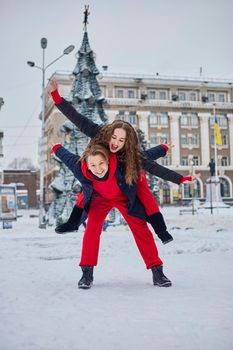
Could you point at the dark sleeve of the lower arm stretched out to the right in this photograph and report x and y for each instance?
(162, 172)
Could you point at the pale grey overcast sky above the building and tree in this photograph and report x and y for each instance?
(172, 37)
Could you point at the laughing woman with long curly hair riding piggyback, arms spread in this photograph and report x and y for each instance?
(122, 140)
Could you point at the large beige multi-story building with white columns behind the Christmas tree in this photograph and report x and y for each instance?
(179, 111)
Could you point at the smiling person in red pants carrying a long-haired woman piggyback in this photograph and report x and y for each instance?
(100, 174)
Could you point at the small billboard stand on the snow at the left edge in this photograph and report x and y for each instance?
(8, 209)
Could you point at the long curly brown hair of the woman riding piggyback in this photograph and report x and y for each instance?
(130, 154)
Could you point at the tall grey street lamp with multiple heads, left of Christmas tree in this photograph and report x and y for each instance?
(66, 51)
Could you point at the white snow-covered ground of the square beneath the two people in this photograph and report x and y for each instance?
(41, 307)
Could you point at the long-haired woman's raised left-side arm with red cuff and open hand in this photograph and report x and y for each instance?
(84, 124)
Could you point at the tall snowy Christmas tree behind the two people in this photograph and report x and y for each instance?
(87, 98)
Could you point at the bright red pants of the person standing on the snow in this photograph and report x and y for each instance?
(99, 208)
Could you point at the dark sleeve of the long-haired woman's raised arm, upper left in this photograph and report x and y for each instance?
(84, 124)
